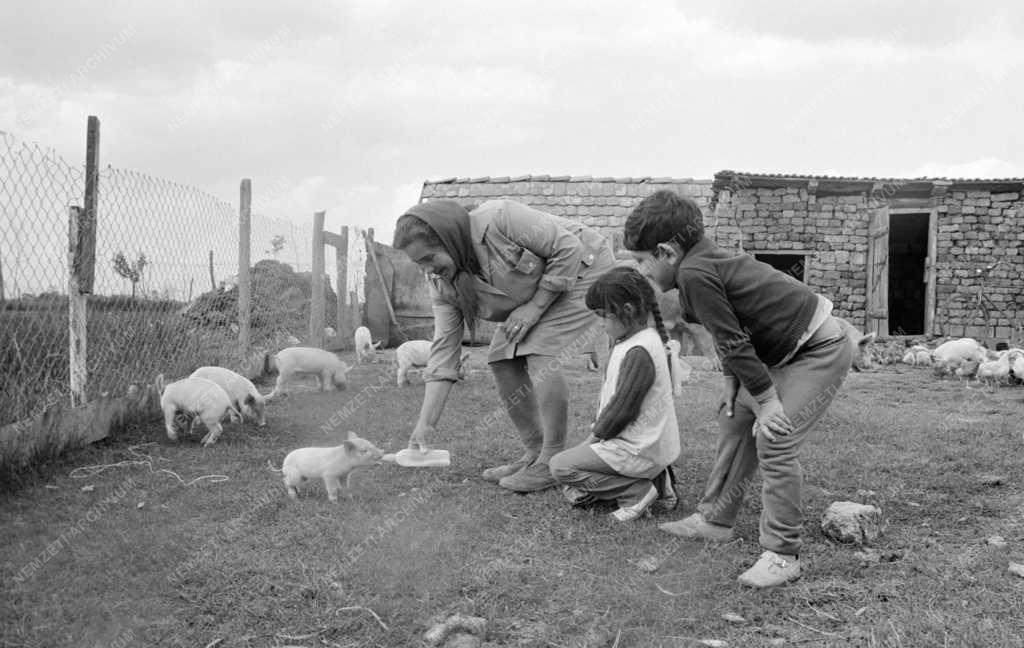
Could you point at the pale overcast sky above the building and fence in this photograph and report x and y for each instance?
(350, 107)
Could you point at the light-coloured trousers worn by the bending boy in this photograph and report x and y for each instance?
(806, 385)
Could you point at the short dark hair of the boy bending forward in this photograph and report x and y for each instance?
(664, 218)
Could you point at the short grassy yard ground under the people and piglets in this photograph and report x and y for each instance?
(133, 556)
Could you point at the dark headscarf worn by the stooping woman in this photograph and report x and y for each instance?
(450, 221)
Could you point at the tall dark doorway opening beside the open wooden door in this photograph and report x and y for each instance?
(908, 251)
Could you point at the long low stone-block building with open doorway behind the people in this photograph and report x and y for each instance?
(897, 256)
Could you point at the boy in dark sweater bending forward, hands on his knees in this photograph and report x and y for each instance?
(784, 359)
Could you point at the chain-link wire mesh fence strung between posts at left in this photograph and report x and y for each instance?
(165, 293)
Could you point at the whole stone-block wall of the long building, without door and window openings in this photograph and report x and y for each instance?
(979, 223)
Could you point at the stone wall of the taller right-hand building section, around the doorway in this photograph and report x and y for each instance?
(979, 224)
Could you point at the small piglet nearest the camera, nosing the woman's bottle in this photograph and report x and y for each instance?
(329, 464)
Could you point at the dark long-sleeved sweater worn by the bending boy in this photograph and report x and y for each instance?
(755, 313)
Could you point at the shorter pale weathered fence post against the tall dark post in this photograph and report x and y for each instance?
(78, 235)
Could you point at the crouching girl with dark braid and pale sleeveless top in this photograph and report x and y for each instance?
(635, 439)
